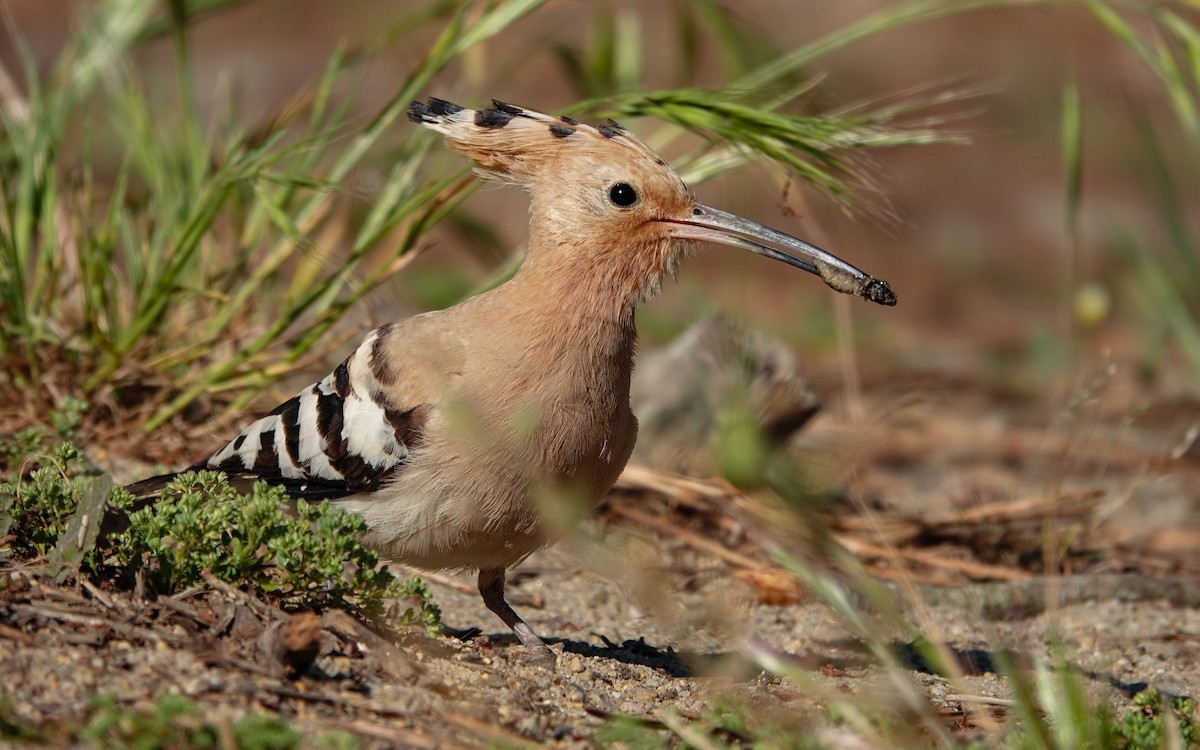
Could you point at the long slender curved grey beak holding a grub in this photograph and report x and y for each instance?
(712, 225)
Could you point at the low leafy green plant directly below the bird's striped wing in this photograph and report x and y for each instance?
(311, 559)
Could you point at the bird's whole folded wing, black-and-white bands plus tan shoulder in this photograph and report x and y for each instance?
(352, 431)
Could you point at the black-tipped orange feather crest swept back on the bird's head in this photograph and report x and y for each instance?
(515, 143)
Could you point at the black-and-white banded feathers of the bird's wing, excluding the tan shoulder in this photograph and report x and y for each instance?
(341, 436)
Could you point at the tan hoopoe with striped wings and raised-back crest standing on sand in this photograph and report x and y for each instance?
(446, 430)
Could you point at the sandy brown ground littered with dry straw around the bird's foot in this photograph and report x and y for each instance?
(962, 500)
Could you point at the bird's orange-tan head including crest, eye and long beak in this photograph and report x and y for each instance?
(602, 200)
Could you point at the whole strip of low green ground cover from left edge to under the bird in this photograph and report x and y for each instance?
(311, 559)
